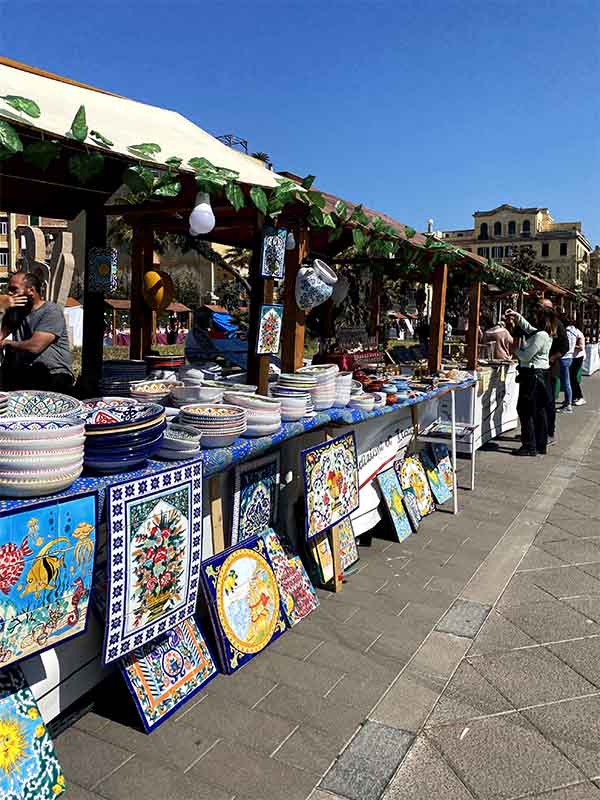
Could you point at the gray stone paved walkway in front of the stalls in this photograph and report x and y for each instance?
(332, 708)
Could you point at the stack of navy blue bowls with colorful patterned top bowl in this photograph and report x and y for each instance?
(121, 434)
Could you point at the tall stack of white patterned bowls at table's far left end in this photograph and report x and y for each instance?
(39, 455)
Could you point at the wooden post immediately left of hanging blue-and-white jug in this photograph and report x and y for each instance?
(292, 352)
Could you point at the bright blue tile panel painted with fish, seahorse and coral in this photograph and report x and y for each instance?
(46, 574)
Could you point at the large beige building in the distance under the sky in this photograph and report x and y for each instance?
(560, 247)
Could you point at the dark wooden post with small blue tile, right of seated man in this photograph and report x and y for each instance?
(93, 308)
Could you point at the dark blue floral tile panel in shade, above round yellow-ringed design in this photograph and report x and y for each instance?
(255, 497)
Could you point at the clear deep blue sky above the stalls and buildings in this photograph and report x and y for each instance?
(429, 109)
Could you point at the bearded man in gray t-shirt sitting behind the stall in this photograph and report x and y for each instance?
(38, 355)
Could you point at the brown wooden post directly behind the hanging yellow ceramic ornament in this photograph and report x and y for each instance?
(140, 323)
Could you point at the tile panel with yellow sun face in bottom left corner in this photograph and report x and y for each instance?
(29, 768)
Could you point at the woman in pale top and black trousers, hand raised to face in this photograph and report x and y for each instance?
(533, 353)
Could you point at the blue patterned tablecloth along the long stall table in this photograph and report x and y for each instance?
(219, 459)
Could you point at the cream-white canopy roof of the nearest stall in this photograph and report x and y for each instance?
(125, 122)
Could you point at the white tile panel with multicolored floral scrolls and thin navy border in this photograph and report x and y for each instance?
(330, 483)
